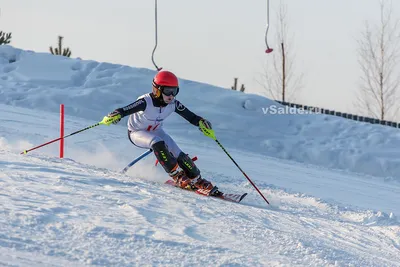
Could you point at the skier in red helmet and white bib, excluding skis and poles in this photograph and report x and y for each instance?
(146, 116)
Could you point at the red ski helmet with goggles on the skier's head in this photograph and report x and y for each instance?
(165, 82)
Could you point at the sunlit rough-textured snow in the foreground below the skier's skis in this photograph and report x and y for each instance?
(69, 213)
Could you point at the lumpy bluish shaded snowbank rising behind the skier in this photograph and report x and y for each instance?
(90, 90)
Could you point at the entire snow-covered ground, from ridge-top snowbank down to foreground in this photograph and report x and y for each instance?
(333, 184)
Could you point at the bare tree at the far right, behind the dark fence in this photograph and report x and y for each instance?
(378, 60)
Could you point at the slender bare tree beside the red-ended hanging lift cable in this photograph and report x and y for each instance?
(279, 77)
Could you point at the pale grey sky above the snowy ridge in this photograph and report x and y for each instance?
(210, 41)
